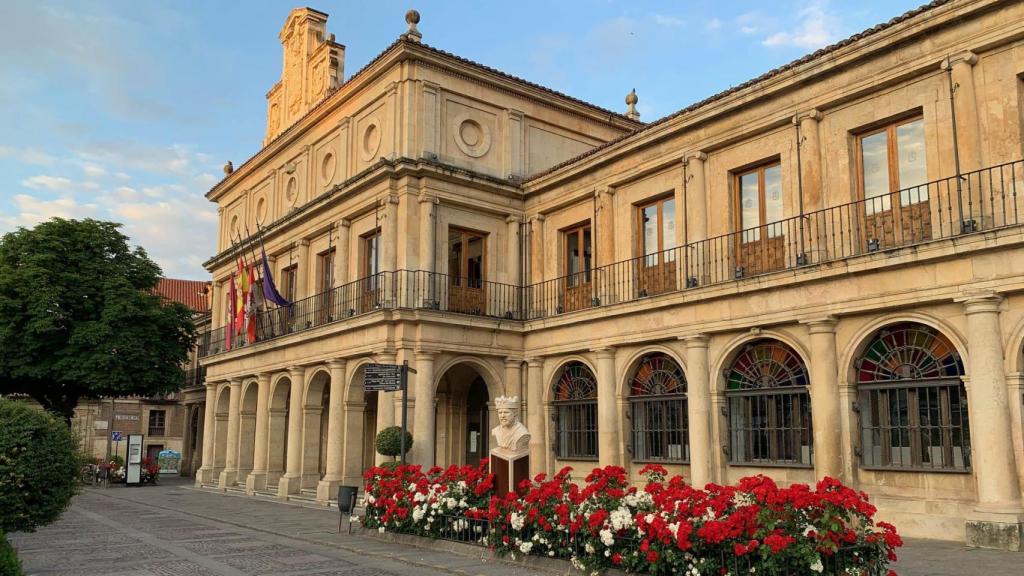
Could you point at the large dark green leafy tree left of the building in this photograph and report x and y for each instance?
(79, 317)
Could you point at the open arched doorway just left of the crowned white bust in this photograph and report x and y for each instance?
(464, 407)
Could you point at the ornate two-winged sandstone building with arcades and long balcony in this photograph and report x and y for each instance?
(816, 273)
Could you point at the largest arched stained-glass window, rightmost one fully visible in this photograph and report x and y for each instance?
(913, 402)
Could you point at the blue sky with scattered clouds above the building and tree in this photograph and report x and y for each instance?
(127, 111)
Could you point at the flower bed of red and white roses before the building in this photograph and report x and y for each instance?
(664, 527)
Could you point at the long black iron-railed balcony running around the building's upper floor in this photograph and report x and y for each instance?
(975, 202)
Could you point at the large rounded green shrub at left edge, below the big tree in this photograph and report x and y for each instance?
(39, 467)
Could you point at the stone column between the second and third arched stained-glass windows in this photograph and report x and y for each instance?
(699, 408)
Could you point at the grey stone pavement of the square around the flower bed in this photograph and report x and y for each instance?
(175, 530)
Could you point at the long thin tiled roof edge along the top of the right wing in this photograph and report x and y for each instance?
(773, 73)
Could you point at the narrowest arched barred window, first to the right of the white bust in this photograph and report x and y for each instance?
(576, 414)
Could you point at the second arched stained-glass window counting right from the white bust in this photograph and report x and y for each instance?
(658, 412)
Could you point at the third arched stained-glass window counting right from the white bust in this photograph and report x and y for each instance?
(770, 407)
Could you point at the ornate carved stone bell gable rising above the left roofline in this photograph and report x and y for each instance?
(313, 66)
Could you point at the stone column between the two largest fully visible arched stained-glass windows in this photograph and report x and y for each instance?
(826, 419)
